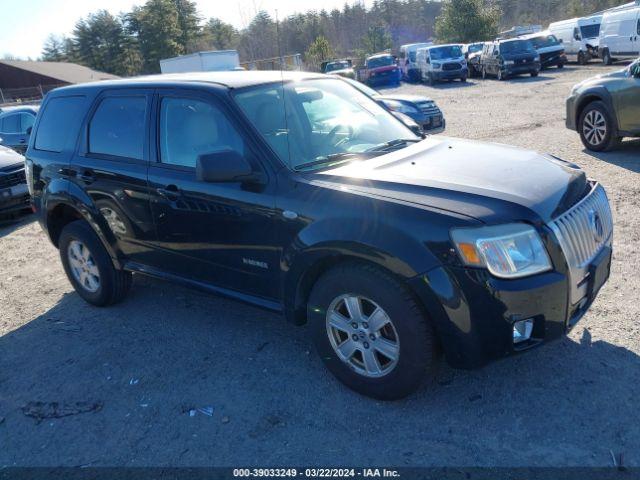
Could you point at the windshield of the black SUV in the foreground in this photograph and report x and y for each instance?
(324, 119)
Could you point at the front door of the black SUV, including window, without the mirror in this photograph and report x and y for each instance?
(218, 233)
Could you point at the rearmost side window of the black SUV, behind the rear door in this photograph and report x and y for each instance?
(60, 122)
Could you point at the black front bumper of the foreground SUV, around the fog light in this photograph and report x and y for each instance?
(474, 312)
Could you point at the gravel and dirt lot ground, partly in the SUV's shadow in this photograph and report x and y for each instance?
(130, 375)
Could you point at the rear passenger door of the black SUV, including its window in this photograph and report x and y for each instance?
(111, 165)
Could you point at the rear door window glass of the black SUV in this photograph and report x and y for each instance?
(118, 127)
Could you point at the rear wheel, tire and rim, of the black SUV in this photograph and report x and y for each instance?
(89, 267)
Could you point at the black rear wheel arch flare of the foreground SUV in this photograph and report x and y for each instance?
(63, 192)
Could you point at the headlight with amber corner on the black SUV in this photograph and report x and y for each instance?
(507, 251)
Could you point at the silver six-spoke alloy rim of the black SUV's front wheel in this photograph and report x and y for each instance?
(363, 335)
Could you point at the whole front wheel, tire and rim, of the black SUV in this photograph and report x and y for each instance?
(371, 332)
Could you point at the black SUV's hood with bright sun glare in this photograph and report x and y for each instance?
(485, 181)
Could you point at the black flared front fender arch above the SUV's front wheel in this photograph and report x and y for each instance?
(324, 243)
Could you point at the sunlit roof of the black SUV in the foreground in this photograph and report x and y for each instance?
(228, 79)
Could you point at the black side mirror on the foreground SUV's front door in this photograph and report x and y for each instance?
(223, 166)
